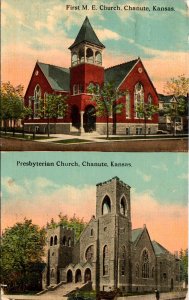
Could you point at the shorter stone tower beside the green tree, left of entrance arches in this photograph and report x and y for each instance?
(60, 241)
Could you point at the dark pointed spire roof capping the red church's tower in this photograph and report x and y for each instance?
(87, 34)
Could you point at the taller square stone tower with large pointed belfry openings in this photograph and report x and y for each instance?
(113, 213)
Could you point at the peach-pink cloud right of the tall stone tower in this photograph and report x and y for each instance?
(164, 222)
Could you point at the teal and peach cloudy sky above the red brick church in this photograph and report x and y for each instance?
(44, 29)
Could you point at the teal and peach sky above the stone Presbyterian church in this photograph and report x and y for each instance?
(158, 181)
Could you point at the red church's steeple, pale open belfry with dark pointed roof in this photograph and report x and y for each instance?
(86, 48)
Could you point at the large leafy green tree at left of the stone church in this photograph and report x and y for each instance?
(22, 250)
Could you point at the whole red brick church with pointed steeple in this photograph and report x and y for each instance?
(87, 69)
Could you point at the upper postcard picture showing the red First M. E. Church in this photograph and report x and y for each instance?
(107, 76)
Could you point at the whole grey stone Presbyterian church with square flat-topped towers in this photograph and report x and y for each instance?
(109, 253)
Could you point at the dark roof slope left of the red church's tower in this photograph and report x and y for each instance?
(58, 78)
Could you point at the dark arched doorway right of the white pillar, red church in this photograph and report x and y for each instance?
(89, 119)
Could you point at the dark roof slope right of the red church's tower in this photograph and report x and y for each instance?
(117, 73)
